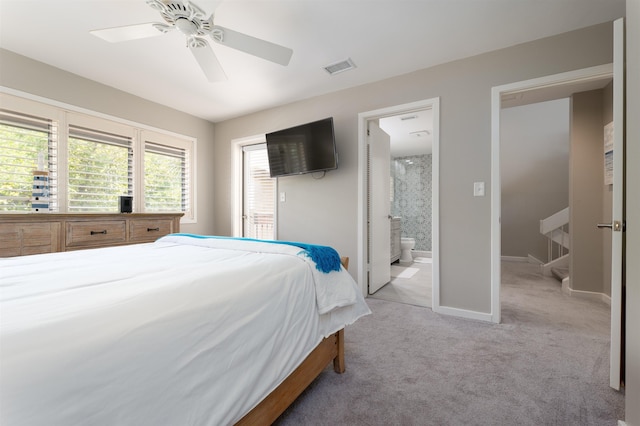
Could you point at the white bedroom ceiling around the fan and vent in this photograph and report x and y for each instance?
(384, 38)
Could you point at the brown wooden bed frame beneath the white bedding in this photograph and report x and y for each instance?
(330, 349)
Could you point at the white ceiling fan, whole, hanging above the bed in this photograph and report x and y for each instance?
(193, 22)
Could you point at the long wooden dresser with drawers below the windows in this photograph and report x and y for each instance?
(35, 233)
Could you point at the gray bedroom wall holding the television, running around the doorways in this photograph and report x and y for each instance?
(325, 210)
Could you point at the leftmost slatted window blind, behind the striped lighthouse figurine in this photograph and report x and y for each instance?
(22, 139)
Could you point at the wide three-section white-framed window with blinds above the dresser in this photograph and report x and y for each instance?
(92, 161)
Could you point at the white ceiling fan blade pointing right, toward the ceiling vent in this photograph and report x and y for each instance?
(251, 45)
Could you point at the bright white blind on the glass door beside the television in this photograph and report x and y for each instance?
(259, 193)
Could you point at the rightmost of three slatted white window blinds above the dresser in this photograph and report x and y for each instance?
(166, 183)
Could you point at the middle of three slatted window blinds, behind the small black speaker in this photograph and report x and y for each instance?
(100, 169)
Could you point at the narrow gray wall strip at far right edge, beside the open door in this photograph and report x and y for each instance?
(632, 381)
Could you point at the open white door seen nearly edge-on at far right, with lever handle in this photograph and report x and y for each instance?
(617, 224)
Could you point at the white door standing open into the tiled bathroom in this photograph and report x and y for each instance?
(379, 148)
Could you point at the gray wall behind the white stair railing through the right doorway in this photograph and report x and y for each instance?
(534, 173)
